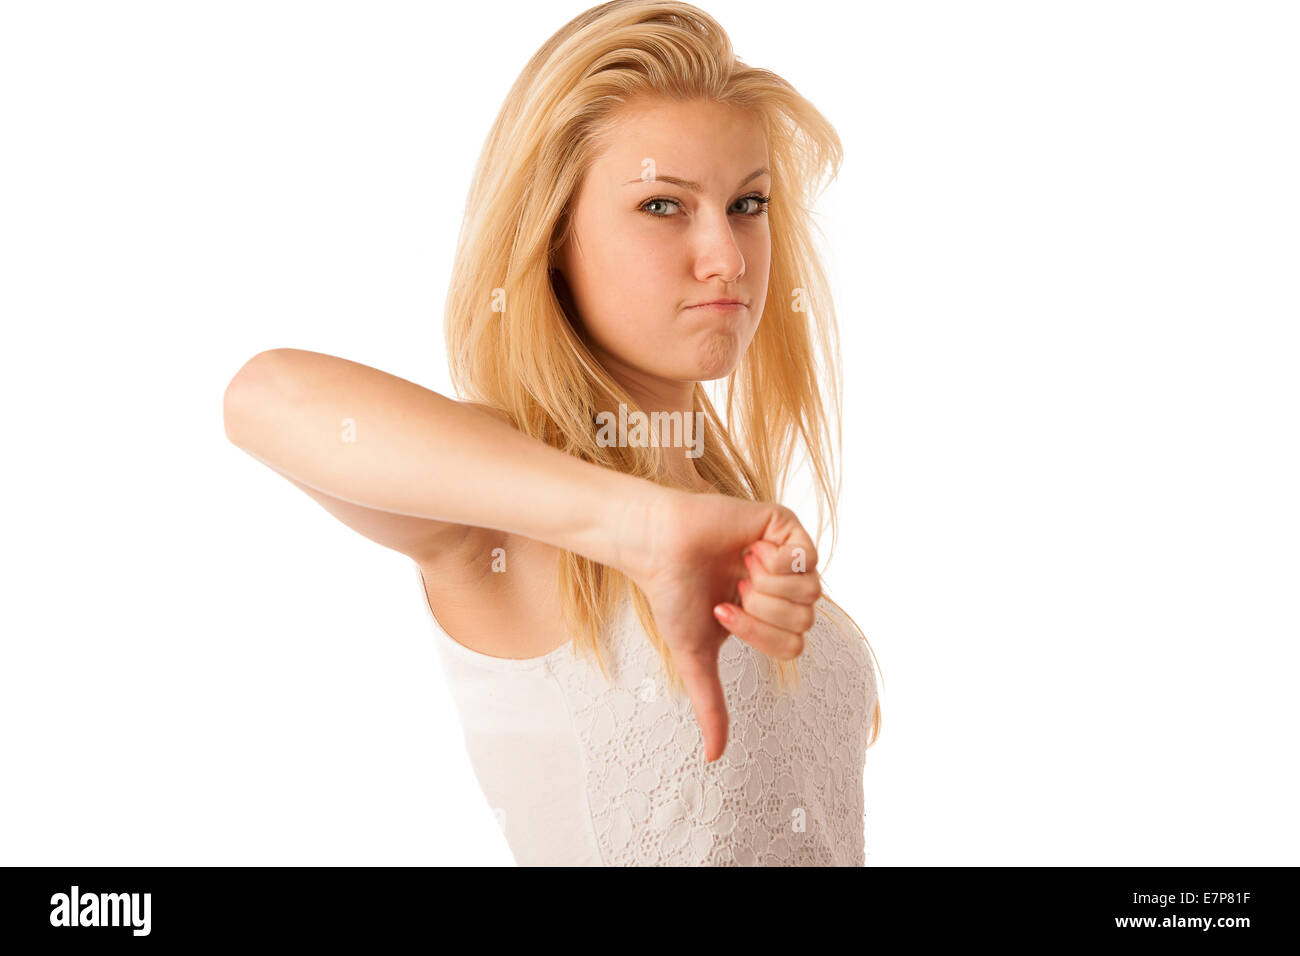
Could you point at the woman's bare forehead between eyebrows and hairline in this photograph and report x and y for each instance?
(710, 142)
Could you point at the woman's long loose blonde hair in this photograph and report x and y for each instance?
(530, 362)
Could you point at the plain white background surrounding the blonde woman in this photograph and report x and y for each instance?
(1065, 254)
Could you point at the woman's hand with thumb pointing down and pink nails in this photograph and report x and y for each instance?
(688, 561)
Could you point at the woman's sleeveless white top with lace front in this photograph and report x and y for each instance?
(587, 773)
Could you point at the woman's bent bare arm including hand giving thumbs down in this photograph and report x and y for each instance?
(421, 473)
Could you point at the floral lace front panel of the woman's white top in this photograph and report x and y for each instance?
(786, 793)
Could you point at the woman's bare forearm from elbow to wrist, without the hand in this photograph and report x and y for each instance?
(380, 442)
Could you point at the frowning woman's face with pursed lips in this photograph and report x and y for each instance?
(664, 220)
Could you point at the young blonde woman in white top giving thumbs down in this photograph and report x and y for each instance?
(634, 629)
